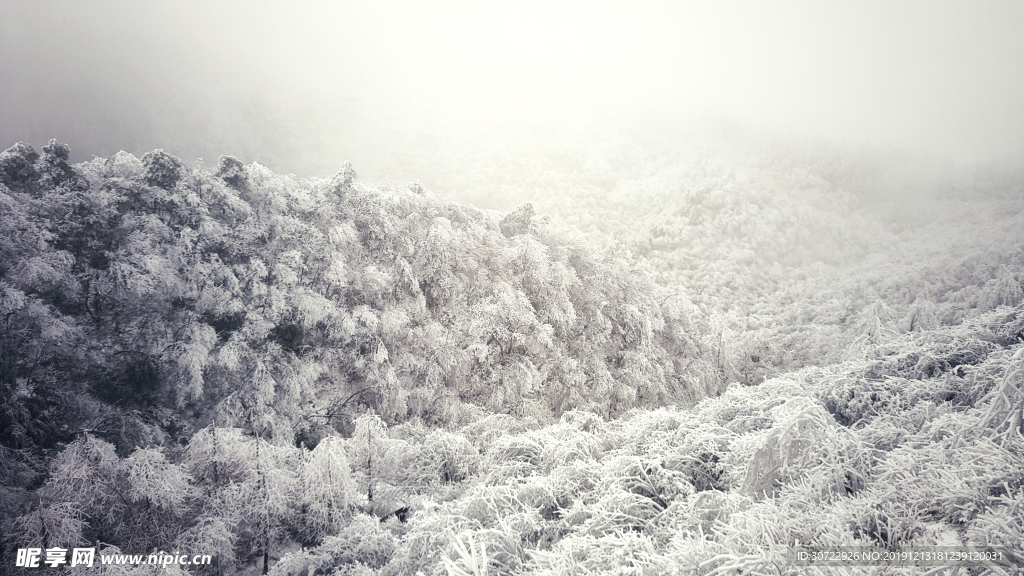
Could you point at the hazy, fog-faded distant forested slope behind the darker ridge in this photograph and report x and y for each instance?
(792, 250)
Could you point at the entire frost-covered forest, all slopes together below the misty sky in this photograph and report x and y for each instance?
(263, 368)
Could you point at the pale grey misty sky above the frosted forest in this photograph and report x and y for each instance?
(302, 87)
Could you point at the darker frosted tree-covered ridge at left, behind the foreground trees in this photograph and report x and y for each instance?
(274, 299)
